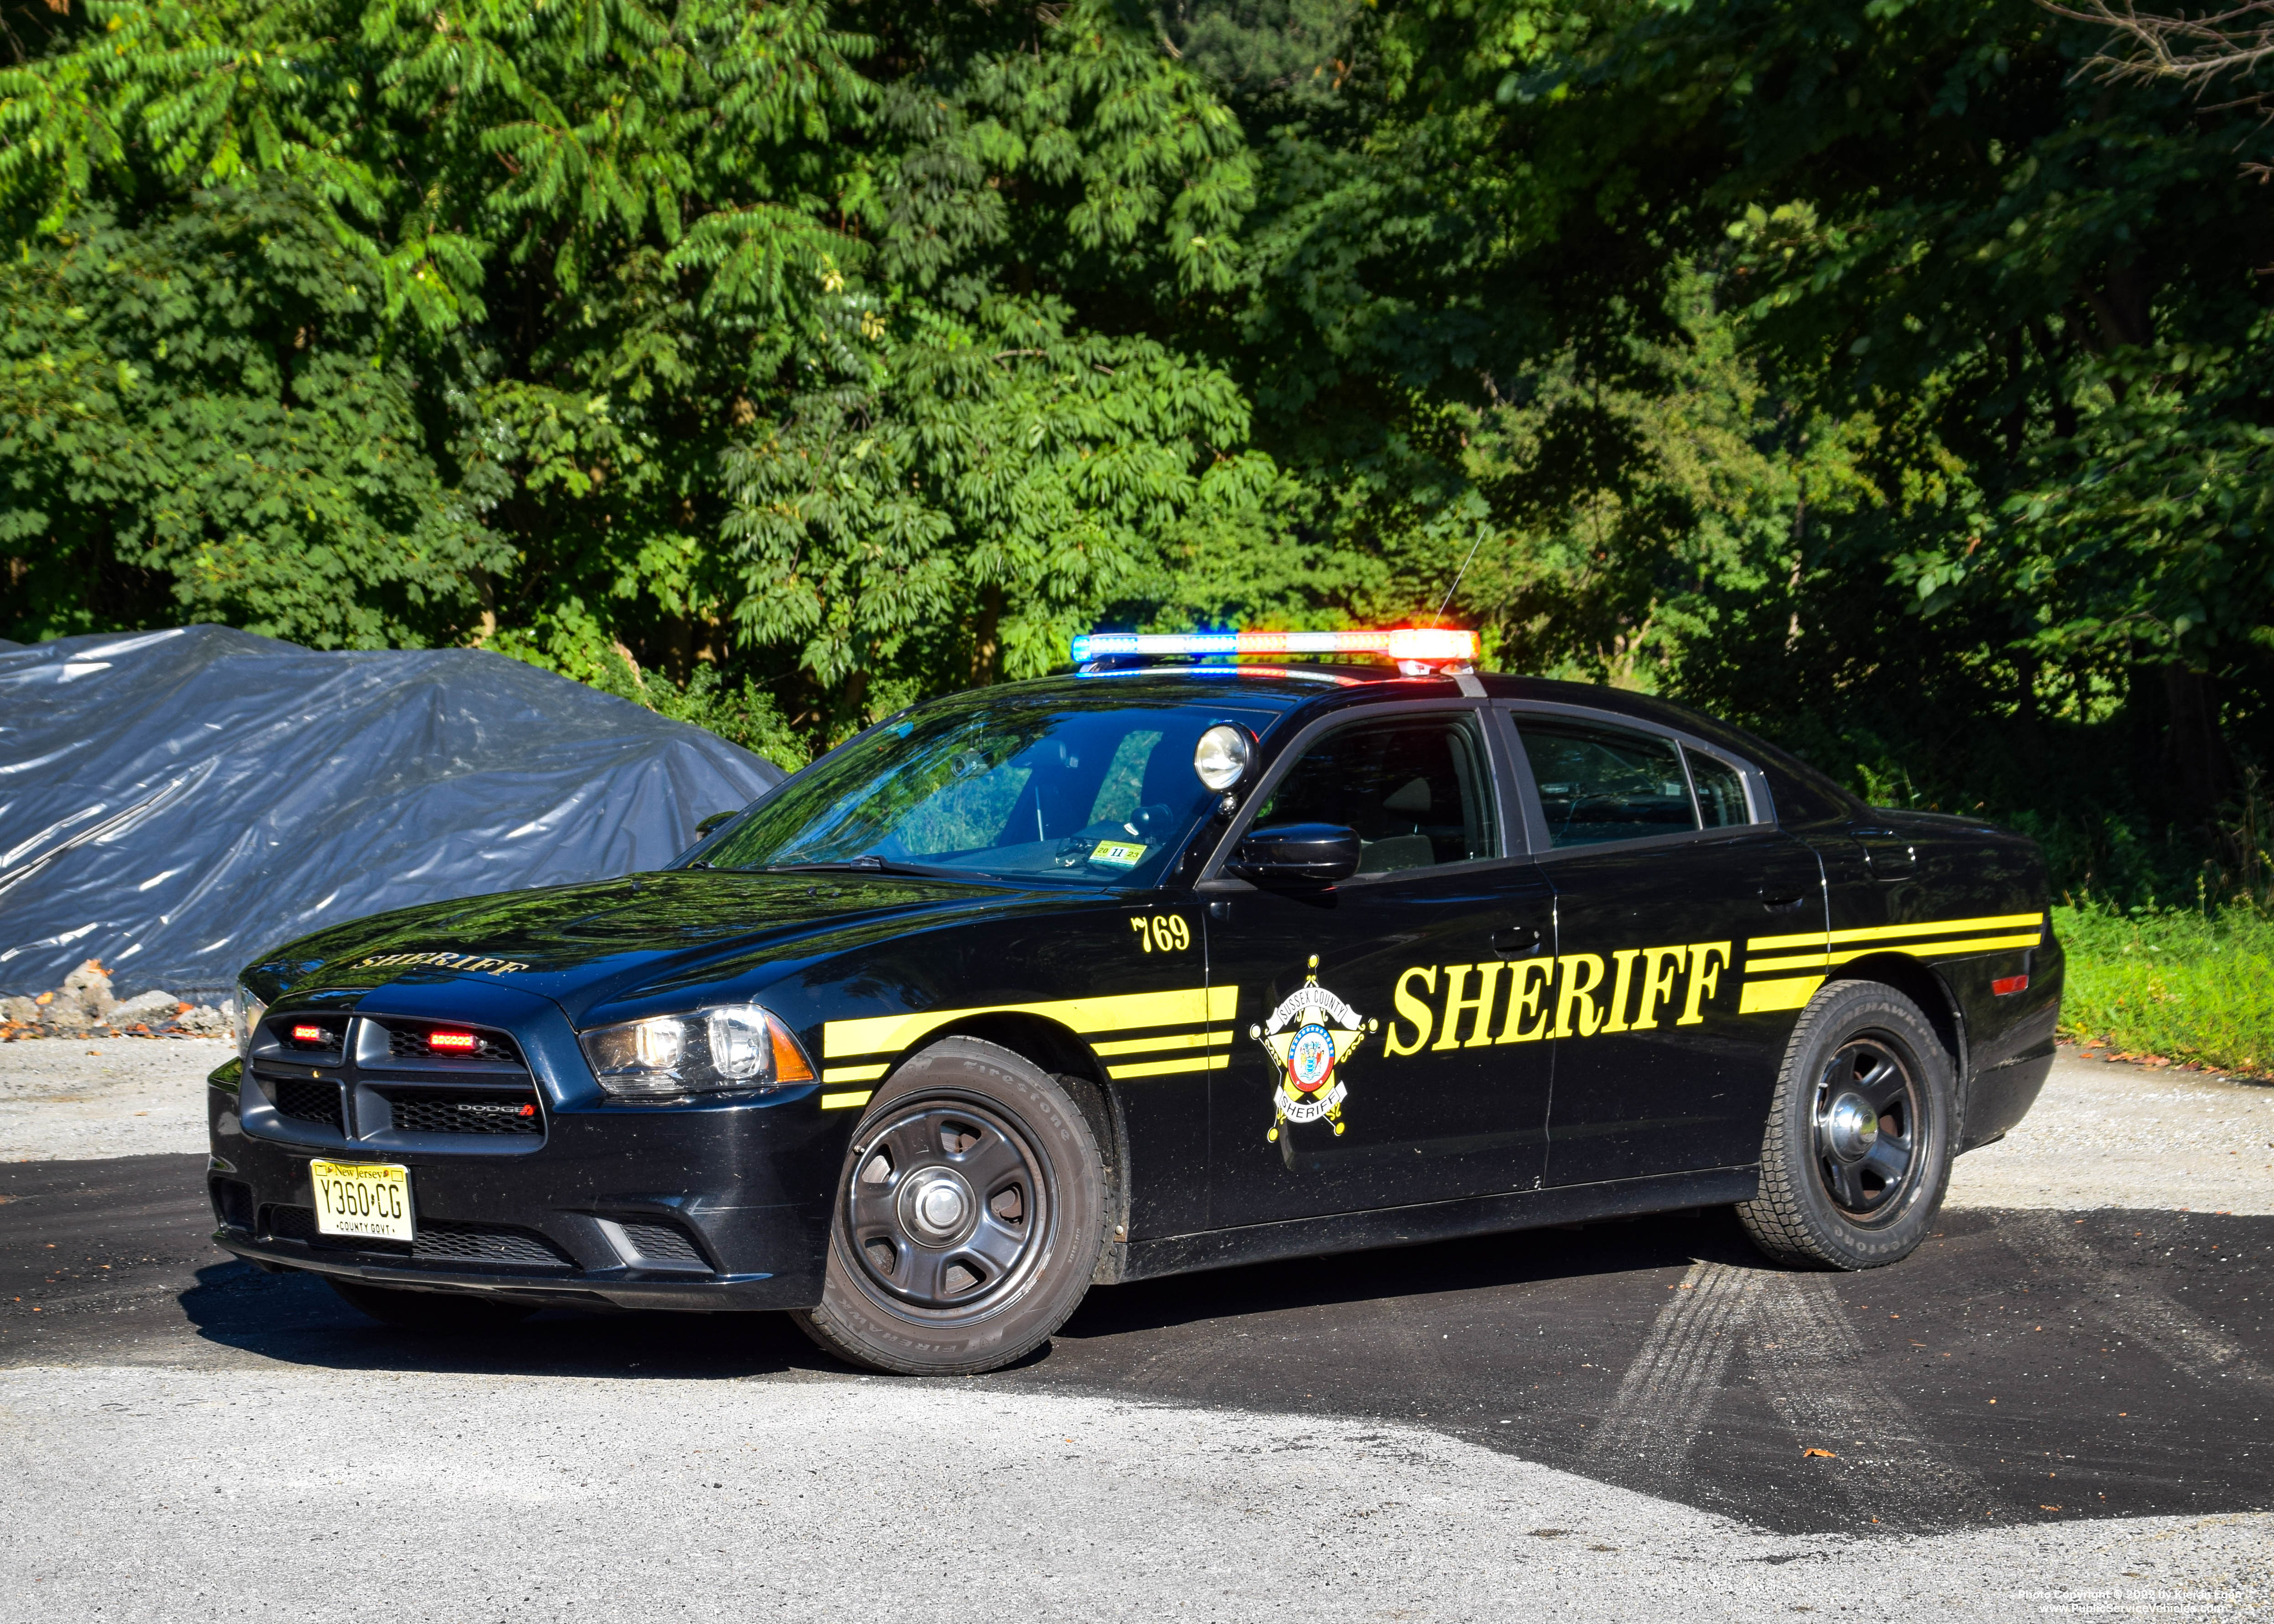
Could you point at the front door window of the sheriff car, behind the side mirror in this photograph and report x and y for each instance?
(1416, 788)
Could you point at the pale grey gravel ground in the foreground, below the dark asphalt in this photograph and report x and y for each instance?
(483, 1498)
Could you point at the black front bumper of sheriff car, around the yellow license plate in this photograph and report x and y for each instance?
(717, 1207)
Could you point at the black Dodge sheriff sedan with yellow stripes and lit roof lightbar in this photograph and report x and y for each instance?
(1165, 966)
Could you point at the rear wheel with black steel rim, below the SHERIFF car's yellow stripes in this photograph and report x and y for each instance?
(1861, 1138)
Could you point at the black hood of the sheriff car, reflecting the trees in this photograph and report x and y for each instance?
(615, 941)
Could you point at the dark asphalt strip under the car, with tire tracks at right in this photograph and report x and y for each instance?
(2023, 1368)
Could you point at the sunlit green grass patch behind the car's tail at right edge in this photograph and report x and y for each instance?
(2177, 984)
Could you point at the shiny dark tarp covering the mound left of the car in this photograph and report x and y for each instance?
(174, 804)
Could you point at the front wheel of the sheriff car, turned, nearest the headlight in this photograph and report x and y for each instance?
(970, 1218)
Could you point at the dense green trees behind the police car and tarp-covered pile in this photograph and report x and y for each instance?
(1861, 370)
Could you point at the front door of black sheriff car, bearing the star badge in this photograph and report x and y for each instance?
(1372, 1063)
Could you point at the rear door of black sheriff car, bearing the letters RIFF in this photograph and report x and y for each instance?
(1670, 881)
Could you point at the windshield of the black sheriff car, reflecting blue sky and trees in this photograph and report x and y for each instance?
(1002, 788)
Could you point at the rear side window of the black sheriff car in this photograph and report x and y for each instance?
(1602, 784)
